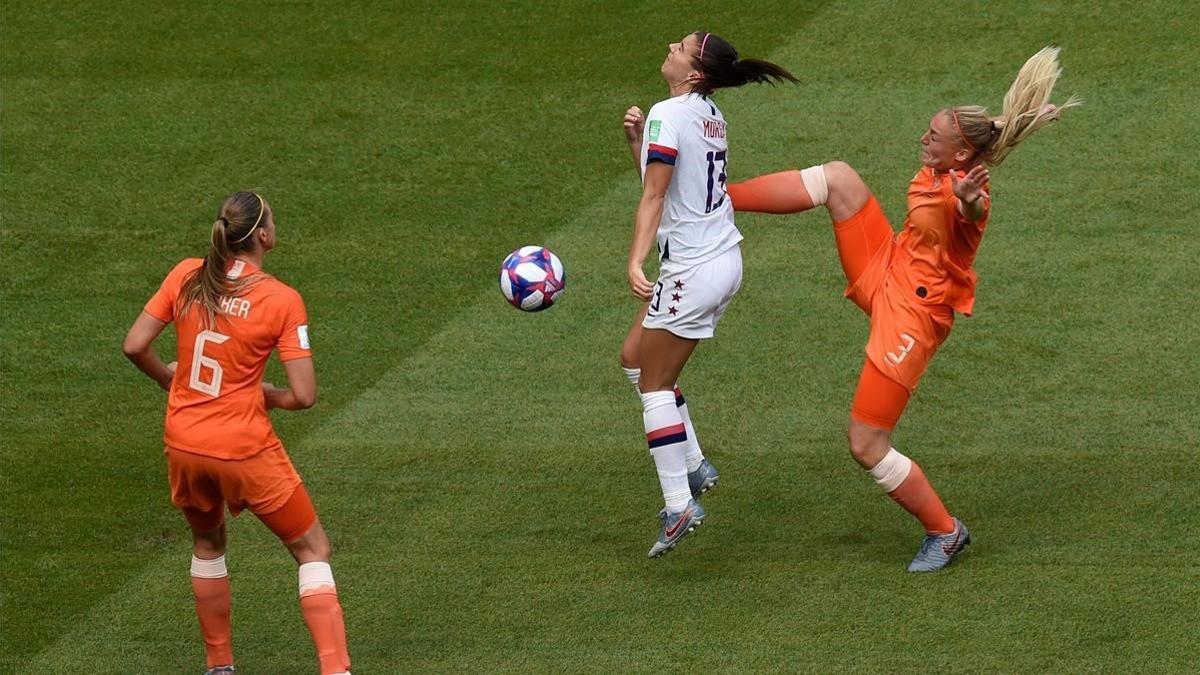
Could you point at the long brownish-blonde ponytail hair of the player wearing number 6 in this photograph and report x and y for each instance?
(241, 217)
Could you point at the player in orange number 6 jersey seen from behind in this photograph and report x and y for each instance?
(221, 450)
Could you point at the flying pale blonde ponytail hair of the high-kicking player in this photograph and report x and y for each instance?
(1027, 110)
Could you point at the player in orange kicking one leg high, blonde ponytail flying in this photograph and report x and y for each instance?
(911, 284)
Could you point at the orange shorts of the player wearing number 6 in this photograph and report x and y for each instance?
(266, 483)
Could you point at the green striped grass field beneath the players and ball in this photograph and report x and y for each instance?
(483, 473)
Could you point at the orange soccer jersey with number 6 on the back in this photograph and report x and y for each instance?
(217, 407)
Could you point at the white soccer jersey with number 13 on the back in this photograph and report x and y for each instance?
(698, 219)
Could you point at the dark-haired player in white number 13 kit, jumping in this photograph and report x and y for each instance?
(682, 154)
